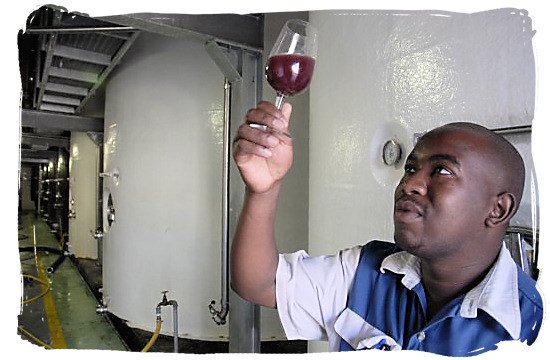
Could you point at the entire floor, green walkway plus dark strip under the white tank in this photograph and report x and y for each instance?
(59, 309)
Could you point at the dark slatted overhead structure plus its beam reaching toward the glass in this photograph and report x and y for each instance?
(66, 57)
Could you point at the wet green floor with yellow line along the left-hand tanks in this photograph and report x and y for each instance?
(64, 316)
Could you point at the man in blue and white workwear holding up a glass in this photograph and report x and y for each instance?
(447, 285)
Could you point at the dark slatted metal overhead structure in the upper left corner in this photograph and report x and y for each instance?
(65, 58)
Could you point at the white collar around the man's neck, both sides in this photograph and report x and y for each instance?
(497, 294)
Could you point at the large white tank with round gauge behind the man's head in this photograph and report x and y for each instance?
(387, 75)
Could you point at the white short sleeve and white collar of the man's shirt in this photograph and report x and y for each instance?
(312, 292)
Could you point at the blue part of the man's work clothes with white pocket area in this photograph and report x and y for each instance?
(382, 313)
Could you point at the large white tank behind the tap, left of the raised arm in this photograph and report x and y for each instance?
(163, 159)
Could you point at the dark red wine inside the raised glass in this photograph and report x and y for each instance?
(289, 74)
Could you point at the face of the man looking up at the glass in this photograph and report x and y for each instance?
(443, 198)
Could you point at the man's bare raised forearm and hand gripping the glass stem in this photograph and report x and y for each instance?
(263, 156)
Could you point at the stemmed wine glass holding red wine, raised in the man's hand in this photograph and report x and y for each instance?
(290, 64)
